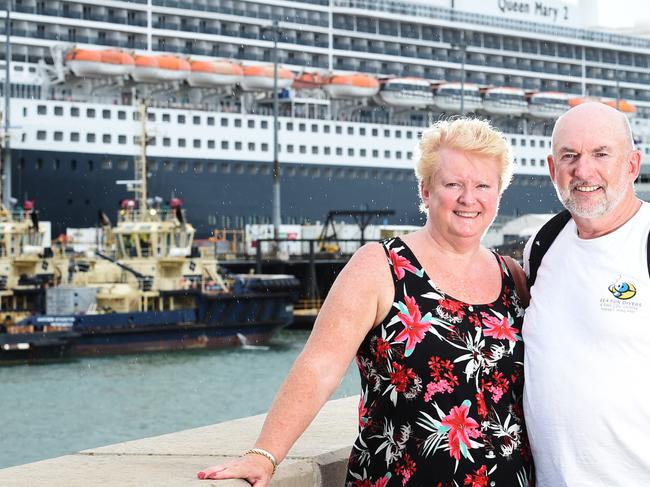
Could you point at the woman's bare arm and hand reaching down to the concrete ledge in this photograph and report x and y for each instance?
(359, 299)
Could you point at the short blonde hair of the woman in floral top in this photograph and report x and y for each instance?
(471, 135)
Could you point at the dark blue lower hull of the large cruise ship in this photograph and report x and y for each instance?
(70, 188)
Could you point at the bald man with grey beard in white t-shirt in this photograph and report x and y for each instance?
(587, 329)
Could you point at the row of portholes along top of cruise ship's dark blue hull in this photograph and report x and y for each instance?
(199, 167)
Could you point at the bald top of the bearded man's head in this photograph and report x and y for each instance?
(594, 116)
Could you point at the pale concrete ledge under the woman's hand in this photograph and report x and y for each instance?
(319, 458)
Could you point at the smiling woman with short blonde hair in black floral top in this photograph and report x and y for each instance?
(435, 323)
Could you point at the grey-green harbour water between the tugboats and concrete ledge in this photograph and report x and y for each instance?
(57, 409)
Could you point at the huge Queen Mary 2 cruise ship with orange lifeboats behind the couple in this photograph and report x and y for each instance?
(357, 82)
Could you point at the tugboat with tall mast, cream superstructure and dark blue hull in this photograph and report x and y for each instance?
(149, 289)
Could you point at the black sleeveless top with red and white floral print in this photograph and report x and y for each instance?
(442, 382)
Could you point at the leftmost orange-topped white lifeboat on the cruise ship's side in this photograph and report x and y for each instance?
(97, 63)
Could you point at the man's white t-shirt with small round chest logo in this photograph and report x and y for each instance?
(587, 359)
